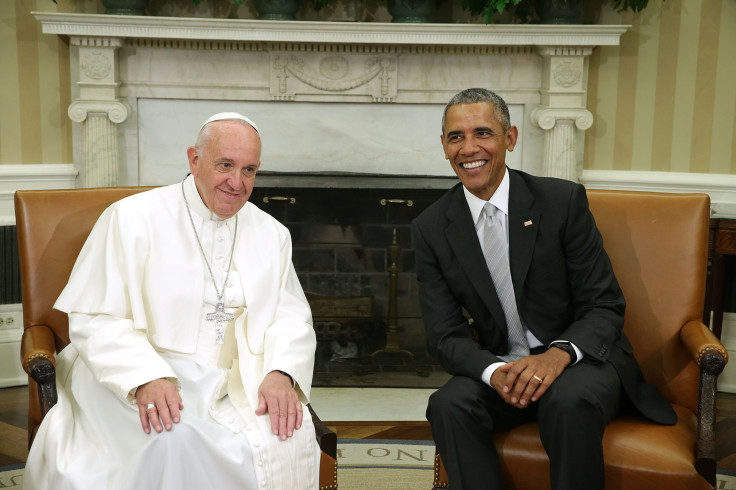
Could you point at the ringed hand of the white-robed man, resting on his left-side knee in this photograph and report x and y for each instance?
(166, 401)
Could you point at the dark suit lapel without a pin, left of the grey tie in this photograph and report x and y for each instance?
(463, 240)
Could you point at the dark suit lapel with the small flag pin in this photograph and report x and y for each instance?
(523, 227)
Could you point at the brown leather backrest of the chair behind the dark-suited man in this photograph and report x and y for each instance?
(658, 244)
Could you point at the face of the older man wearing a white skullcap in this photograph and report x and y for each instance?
(226, 169)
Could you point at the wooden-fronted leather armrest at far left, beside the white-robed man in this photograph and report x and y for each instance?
(37, 355)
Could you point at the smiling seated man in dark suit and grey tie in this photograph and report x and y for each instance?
(542, 341)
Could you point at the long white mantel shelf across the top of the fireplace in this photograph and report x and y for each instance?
(375, 33)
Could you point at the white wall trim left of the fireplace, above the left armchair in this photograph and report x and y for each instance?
(14, 177)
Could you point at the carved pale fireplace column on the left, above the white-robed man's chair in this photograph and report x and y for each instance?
(99, 109)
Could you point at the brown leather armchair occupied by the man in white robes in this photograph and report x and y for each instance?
(52, 227)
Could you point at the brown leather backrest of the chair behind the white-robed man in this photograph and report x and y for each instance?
(52, 227)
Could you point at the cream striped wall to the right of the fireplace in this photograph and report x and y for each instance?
(665, 99)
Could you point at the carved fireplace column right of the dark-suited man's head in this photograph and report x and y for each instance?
(562, 111)
